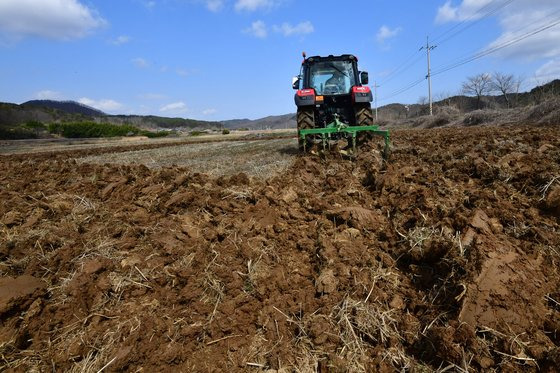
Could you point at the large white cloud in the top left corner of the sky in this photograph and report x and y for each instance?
(51, 19)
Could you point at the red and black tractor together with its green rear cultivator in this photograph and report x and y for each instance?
(334, 102)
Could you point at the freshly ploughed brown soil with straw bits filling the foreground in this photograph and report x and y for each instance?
(447, 257)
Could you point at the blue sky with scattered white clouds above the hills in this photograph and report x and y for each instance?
(225, 59)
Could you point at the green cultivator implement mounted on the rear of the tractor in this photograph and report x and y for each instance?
(338, 128)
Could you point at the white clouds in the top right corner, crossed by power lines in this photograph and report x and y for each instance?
(516, 19)
